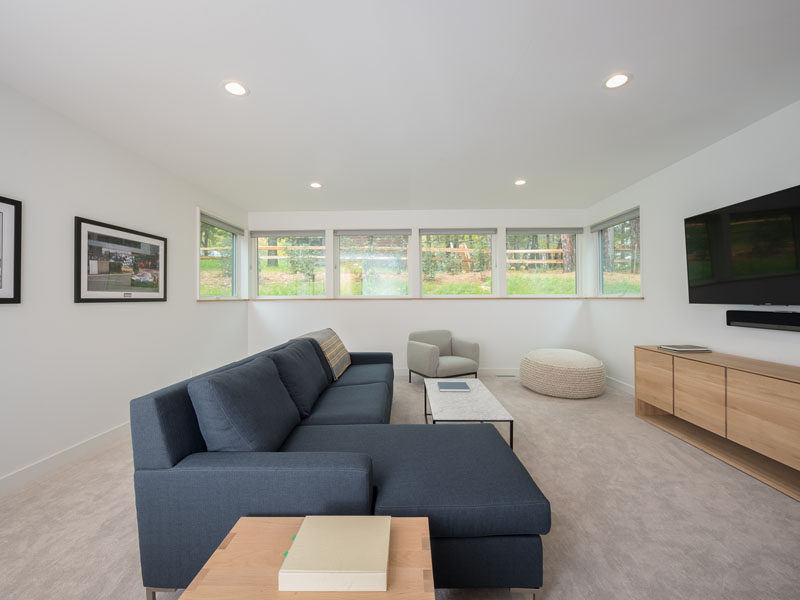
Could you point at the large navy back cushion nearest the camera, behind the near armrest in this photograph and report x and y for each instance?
(245, 408)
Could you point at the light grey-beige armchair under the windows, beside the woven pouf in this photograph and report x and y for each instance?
(436, 353)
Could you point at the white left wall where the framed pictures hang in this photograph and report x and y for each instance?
(67, 371)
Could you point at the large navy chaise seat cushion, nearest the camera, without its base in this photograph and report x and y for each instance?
(463, 477)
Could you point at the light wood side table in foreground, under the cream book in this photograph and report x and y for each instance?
(245, 565)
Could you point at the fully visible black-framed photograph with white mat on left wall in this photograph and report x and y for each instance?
(114, 264)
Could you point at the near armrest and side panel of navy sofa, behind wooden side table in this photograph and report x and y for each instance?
(184, 512)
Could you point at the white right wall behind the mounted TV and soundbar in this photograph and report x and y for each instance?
(763, 158)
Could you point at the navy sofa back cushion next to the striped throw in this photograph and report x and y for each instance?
(302, 373)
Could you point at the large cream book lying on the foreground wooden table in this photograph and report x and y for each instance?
(338, 554)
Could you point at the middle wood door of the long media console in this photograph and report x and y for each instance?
(700, 394)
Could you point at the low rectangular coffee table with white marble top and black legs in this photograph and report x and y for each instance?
(478, 404)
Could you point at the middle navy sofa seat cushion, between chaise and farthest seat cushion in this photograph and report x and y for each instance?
(365, 403)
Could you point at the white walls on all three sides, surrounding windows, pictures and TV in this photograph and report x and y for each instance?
(67, 371)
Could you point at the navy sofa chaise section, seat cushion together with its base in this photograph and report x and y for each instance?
(486, 514)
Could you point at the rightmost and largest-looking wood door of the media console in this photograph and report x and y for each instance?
(764, 415)
